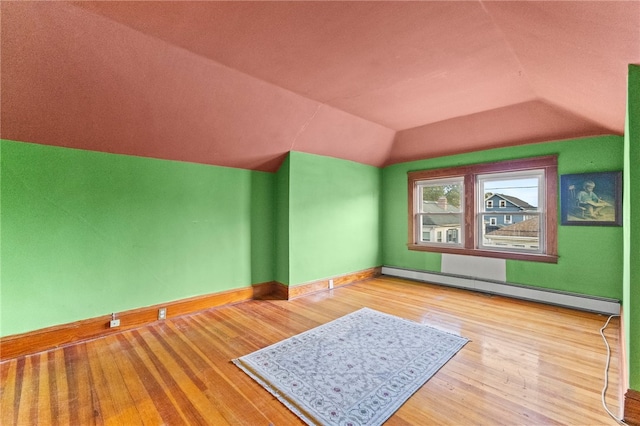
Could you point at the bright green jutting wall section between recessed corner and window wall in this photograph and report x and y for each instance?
(334, 217)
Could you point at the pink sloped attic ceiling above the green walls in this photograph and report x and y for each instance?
(242, 83)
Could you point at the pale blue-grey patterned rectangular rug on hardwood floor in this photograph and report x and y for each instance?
(356, 370)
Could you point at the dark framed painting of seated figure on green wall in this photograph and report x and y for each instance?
(591, 199)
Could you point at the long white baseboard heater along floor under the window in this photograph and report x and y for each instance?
(552, 297)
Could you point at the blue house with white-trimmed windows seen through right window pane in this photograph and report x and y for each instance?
(504, 210)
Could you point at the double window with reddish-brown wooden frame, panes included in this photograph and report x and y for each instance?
(454, 204)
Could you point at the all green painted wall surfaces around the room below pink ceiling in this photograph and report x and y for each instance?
(86, 233)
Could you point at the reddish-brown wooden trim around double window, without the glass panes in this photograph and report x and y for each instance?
(469, 172)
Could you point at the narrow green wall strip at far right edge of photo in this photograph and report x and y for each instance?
(631, 218)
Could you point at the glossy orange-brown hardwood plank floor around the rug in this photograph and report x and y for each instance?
(526, 363)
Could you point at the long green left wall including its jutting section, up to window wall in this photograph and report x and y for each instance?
(85, 233)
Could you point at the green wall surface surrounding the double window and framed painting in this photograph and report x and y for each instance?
(590, 258)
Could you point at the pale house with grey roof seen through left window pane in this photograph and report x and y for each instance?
(442, 225)
